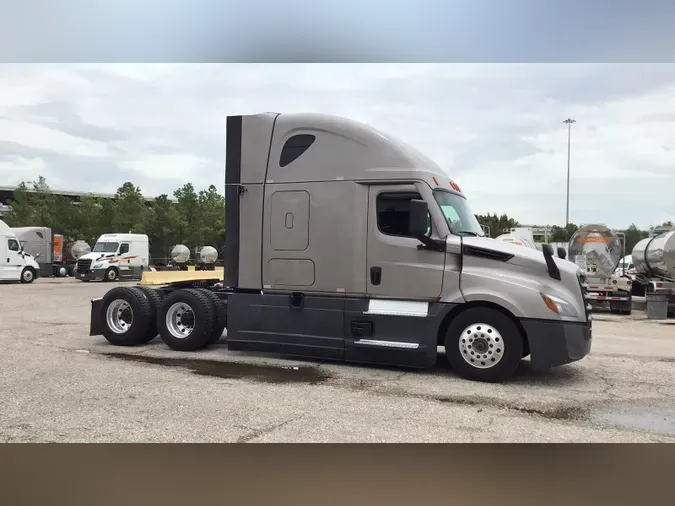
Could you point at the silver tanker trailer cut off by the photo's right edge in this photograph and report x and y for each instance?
(654, 261)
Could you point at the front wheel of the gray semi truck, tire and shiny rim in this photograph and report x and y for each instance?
(497, 335)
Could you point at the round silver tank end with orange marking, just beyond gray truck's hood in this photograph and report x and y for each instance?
(596, 249)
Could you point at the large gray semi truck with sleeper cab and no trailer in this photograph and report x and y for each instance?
(344, 243)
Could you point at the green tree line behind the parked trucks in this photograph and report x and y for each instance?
(191, 218)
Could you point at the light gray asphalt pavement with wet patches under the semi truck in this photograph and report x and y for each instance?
(58, 384)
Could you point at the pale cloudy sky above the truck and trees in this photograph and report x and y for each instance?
(497, 129)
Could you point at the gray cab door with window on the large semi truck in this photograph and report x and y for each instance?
(396, 267)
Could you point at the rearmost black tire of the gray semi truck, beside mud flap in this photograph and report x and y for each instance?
(142, 316)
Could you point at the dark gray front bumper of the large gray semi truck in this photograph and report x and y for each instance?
(553, 343)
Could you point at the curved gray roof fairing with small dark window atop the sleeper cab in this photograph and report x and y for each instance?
(341, 149)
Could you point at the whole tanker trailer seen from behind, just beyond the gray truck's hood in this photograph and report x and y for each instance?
(597, 250)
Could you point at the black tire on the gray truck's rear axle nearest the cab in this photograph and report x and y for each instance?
(202, 320)
